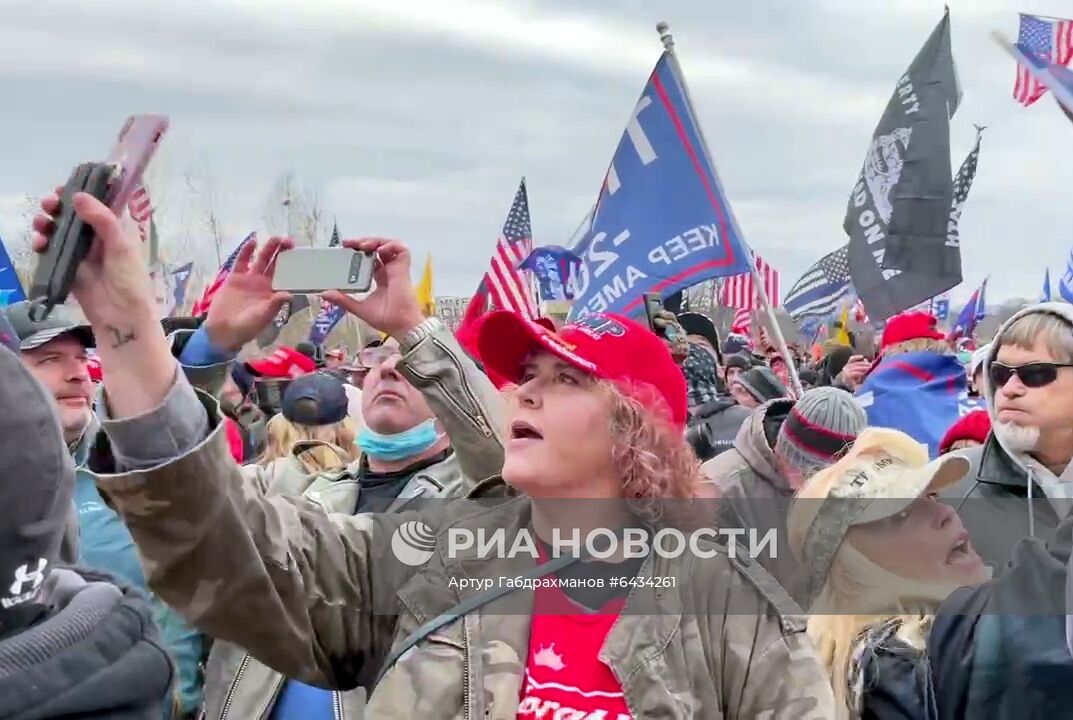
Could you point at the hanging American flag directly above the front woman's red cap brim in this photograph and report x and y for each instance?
(509, 286)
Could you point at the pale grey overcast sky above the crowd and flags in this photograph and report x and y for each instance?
(416, 120)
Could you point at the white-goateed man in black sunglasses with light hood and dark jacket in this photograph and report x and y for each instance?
(1021, 483)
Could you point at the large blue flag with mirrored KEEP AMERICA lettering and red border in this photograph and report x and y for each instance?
(663, 223)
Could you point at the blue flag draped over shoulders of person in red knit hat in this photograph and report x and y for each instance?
(921, 394)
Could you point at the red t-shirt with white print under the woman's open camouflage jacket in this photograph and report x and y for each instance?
(565, 678)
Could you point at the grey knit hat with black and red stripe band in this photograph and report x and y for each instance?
(819, 430)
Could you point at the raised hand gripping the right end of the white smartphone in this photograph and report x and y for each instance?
(393, 306)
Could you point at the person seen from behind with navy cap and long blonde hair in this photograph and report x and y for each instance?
(313, 435)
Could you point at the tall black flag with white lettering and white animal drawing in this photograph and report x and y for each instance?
(900, 209)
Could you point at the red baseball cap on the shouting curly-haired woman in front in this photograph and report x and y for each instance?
(602, 345)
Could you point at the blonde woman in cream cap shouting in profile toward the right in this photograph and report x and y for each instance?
(881, 553)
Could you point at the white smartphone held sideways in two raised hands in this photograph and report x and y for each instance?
(316, 270)
